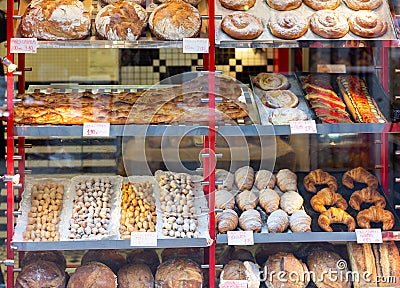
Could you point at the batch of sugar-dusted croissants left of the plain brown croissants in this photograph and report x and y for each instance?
(253, 195)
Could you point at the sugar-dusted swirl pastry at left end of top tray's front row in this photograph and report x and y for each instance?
(242, 26)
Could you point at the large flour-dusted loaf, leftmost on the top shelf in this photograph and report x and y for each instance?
(55, 20)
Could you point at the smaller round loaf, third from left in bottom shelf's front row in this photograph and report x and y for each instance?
(135, 275)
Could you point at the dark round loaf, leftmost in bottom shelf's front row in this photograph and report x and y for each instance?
(41, 274)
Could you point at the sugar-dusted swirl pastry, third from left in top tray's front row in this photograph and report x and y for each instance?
(329, 24)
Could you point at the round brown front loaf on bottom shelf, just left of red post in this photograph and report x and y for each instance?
(179, 272)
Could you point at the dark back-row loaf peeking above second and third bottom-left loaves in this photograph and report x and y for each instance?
(111, 258)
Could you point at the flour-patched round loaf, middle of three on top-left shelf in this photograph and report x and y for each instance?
(121, 21)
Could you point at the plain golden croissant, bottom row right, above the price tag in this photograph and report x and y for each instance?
(375, 214)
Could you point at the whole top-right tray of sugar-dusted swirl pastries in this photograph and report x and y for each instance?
(258, 21)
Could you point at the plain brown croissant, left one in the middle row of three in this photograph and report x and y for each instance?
(327, 197)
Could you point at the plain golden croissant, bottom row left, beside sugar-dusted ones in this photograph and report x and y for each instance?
(336, 215)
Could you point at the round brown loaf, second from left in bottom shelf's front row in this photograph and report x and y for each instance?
(93, 274)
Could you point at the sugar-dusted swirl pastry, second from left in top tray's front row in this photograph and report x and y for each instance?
(288, 25)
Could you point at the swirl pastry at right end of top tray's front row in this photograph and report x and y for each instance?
(367, 24)
